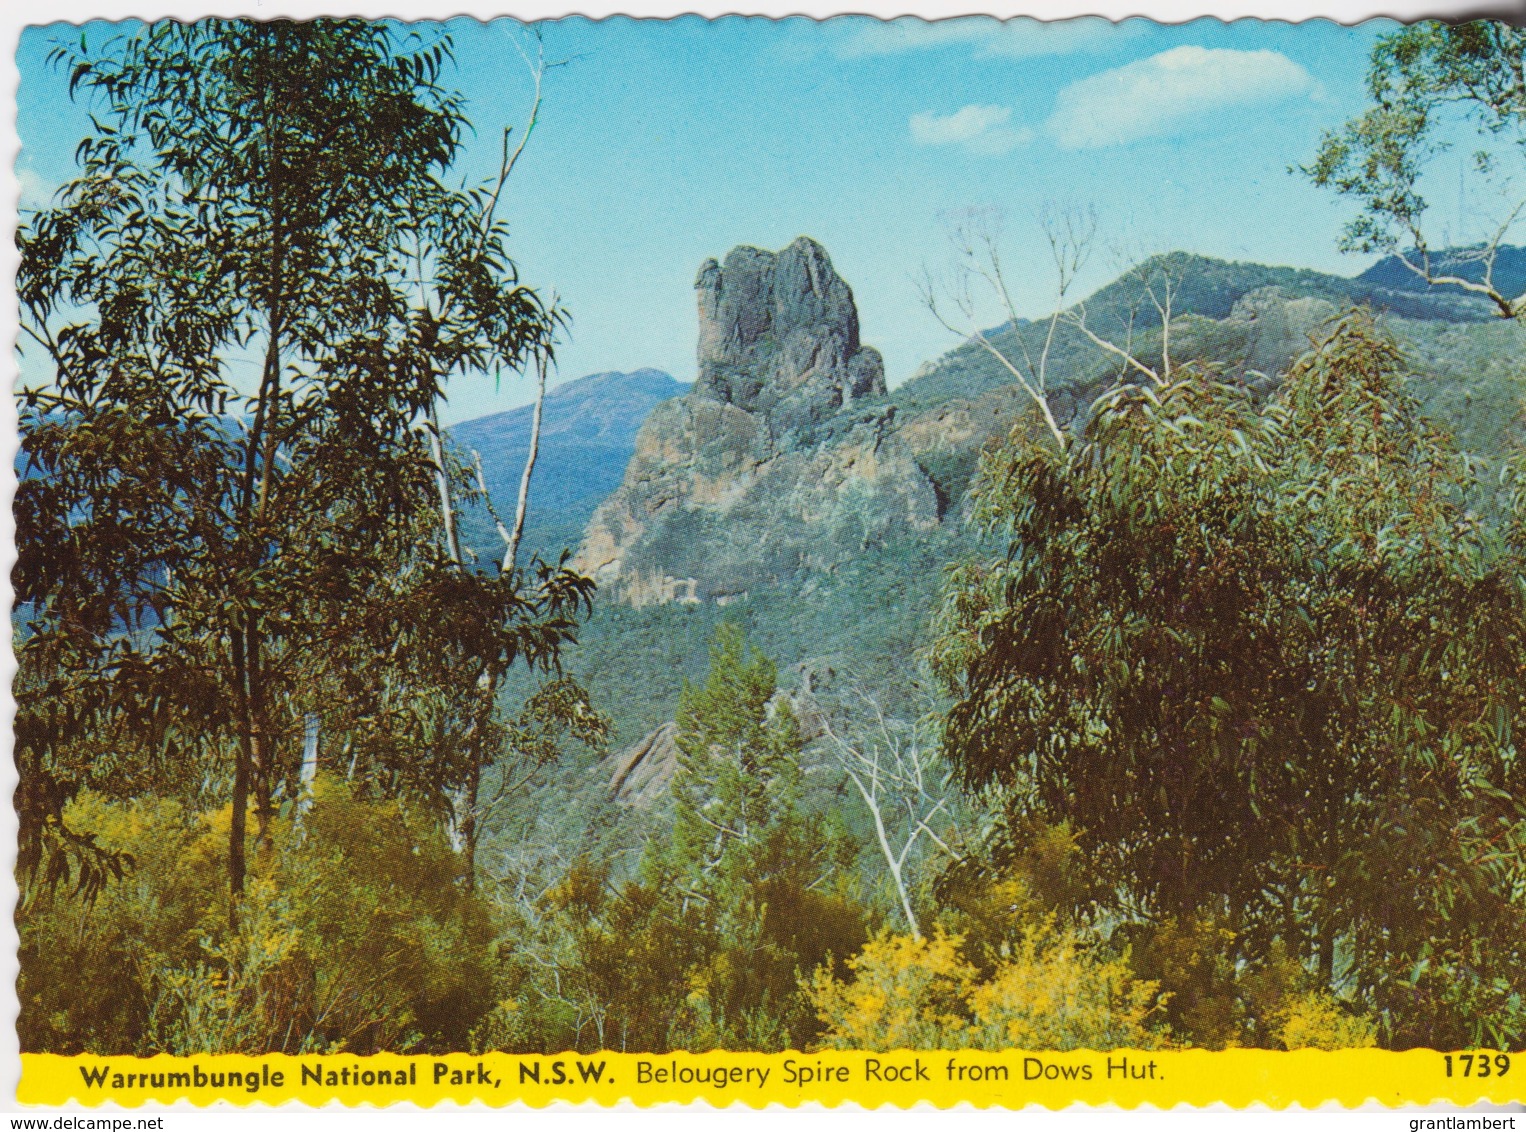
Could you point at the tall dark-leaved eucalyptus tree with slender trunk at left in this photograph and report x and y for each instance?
(196, 555)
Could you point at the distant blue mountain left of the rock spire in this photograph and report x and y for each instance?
(588, 434)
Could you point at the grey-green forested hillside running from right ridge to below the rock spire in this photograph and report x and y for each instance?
(1234, 317)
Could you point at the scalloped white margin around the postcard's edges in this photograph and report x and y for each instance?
(18, 14)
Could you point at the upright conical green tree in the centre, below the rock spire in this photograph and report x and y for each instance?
(744, 861)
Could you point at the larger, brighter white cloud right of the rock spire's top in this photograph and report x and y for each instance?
(1170, 92)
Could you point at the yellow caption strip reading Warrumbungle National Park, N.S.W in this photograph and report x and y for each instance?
(904, 1078)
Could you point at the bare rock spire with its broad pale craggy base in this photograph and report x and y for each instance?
(784, 458)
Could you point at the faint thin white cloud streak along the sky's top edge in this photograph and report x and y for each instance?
(1016, 39)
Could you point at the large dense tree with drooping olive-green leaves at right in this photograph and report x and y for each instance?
(1240, 651)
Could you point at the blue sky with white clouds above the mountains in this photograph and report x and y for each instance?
(666, 143)
